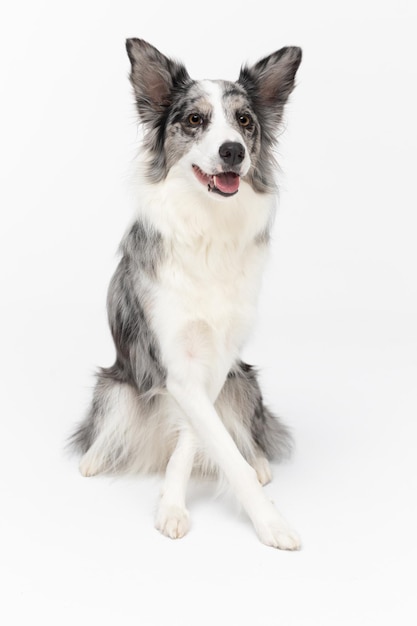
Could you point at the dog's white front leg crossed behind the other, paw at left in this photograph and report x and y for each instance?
(172, 517)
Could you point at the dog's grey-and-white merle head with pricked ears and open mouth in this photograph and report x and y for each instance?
(218, 131)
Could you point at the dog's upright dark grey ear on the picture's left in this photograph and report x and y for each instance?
(153, 77)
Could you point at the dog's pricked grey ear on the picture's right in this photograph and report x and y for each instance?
(270, 81)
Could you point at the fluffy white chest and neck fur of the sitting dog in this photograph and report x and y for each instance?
(204, 298)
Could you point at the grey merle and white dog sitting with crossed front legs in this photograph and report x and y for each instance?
(179, 399)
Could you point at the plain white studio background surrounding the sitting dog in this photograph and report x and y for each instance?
(335, 339)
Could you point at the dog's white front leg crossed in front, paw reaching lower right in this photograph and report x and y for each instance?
(197, 405)
